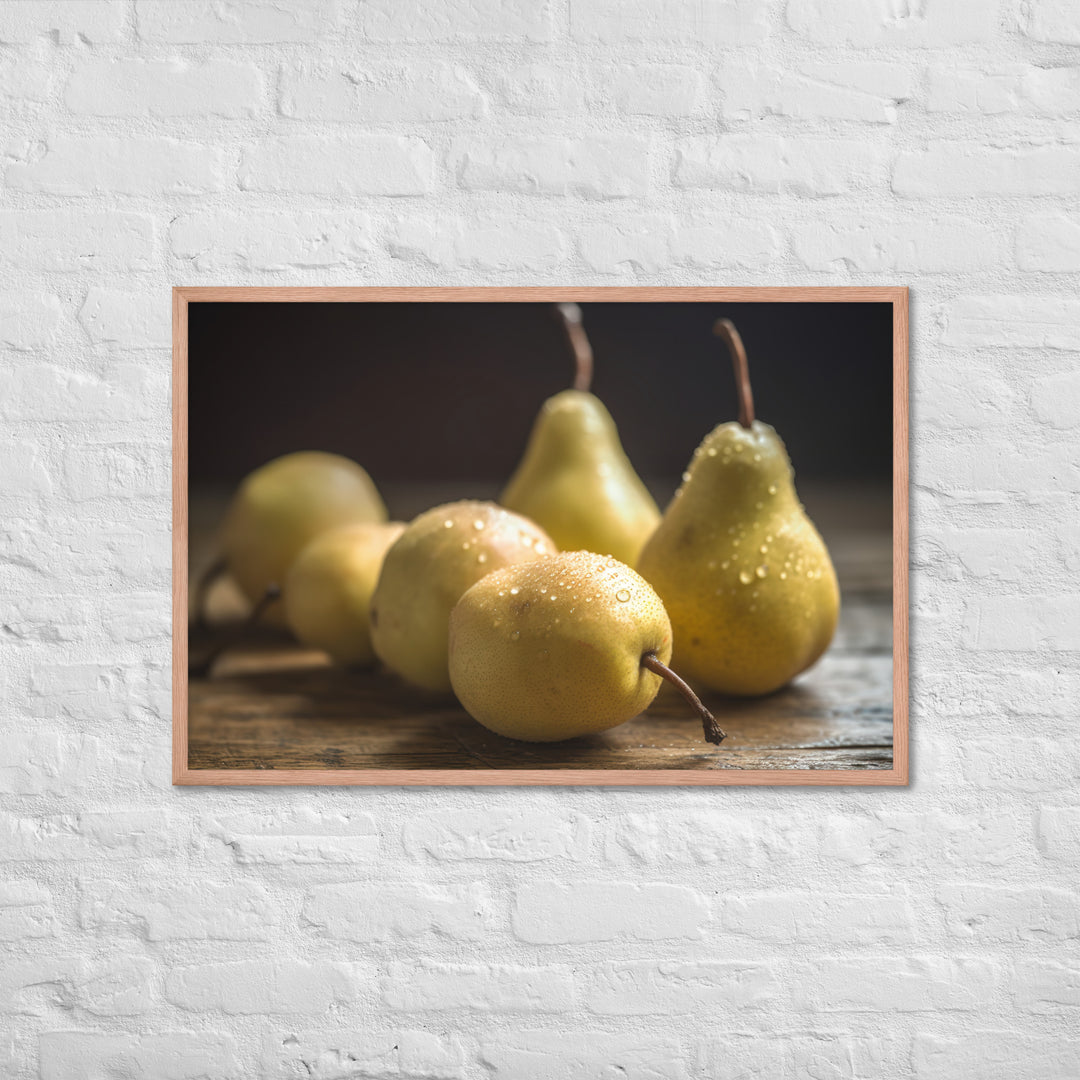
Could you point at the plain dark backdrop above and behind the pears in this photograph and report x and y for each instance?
(436, 393)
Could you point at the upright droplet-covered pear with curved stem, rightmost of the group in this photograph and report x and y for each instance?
(745, 575)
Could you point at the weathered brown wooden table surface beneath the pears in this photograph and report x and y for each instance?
(272, 705)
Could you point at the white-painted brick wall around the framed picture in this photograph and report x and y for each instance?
(156, 934)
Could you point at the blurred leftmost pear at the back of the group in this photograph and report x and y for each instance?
(285, 505)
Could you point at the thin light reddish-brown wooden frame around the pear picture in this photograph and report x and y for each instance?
(898, 776)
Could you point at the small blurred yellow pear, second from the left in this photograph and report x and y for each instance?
(329, 589)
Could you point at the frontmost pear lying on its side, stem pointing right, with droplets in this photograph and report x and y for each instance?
(569, 646)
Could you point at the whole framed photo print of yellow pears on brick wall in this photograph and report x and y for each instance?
(541, 536)
